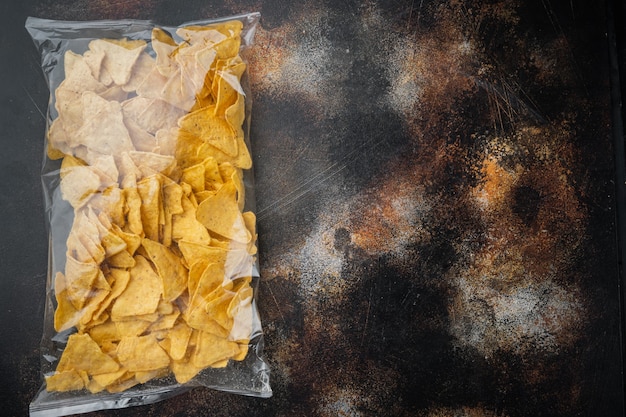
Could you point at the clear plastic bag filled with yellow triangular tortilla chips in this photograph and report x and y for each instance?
(153, 275)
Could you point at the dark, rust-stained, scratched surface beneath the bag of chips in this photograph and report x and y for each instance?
(435, 205)
